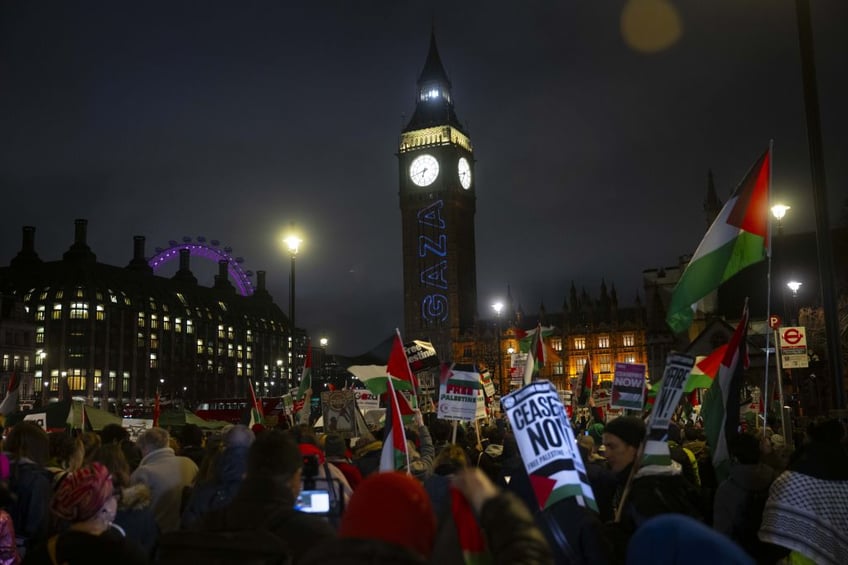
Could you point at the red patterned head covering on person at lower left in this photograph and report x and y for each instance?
(83, 493)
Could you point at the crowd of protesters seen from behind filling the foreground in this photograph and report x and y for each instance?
(102, 498)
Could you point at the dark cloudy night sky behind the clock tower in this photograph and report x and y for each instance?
(231, 120)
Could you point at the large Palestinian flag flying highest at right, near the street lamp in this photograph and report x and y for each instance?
(737, 238)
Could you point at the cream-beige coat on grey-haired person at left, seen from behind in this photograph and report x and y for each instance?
(167, 475)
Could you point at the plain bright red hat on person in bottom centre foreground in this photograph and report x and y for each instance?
(394, 508)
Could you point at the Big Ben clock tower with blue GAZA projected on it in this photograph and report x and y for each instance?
(437, 202)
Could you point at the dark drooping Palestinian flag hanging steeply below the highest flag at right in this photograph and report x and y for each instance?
(720, 408)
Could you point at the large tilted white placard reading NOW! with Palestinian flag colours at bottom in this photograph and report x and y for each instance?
(547, 445)
